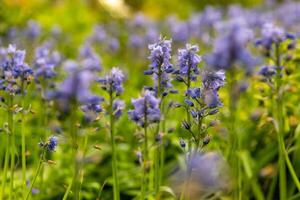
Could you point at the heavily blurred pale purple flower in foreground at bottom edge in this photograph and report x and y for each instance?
(209, 174)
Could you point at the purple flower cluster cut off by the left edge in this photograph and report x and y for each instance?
(15, 72)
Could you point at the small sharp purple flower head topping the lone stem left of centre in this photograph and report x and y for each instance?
(113, 82)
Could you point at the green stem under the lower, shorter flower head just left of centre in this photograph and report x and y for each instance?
(145, 155)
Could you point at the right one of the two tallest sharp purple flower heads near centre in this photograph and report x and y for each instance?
(188, 61)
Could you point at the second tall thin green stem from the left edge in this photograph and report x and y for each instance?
(23, 141)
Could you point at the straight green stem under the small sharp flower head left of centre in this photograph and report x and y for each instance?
(116, 191)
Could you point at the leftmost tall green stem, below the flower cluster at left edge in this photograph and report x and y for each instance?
(12, 147)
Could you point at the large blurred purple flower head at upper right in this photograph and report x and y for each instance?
(230, 48)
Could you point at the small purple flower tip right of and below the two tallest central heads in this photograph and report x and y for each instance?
(213, 80)
